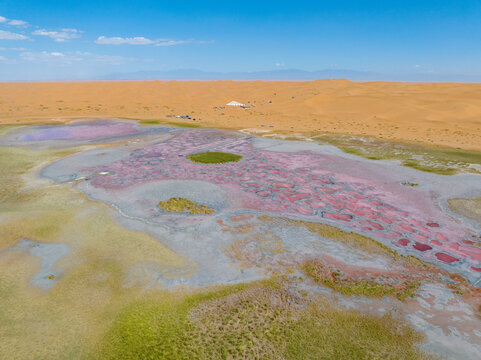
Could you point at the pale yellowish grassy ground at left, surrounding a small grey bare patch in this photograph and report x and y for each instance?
(93, 287)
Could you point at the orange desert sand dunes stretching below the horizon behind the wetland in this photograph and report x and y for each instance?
(445, 114)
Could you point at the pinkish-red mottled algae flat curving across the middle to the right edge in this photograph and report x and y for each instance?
(297, 183)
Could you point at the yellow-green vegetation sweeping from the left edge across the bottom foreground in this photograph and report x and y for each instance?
(104, 307)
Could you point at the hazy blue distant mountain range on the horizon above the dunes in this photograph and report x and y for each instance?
(287, 75)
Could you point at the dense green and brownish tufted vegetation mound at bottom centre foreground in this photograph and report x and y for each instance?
(262, 321)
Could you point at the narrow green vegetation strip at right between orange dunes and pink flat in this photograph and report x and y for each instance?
(441, 161)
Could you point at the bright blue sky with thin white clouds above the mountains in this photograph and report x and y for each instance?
(81, 39)
